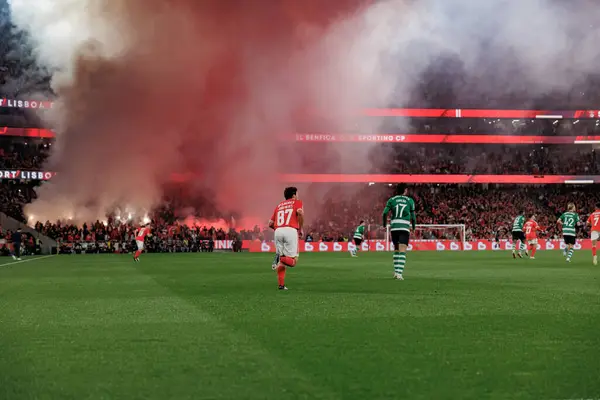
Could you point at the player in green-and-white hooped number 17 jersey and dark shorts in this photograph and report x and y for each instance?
(403, 220)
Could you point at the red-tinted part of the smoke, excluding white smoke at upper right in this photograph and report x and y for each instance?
(202, 88)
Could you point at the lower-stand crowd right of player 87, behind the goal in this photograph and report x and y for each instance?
(487, 212)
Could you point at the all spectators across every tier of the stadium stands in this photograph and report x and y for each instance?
(487, 211)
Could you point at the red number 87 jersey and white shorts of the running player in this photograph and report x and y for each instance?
(285, 219)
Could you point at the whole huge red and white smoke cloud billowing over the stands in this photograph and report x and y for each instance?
(206, 88)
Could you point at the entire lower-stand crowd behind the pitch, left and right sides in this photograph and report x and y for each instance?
(487, 211)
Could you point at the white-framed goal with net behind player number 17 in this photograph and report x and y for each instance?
(427, 232)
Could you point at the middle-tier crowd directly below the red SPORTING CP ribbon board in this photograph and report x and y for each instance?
(451, 159)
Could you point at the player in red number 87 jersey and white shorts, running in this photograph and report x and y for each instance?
(287, 221)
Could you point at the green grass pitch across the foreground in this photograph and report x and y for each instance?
(213, 326)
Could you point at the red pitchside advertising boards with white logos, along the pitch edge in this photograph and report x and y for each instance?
(416, 245)
